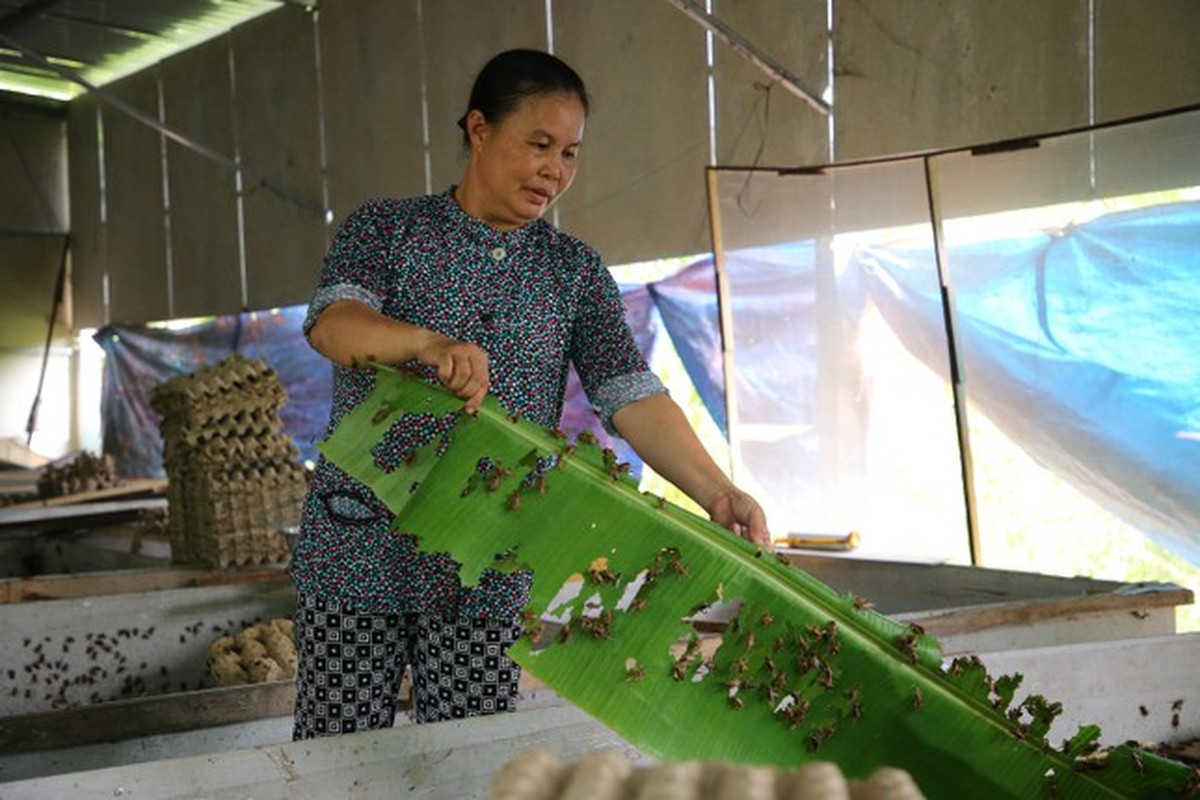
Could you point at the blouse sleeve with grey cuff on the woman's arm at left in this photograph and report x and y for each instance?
(358, 264)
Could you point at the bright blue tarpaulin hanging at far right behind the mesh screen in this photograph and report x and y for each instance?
(1083, 347)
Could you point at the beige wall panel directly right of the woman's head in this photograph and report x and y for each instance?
(640, 193)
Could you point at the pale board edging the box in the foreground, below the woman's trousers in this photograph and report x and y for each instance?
(446, 760)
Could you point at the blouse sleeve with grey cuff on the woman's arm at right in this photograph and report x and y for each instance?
(605, 354)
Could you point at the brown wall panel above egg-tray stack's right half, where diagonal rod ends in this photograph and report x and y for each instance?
(279, 140)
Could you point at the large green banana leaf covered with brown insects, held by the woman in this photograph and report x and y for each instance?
(801, 673)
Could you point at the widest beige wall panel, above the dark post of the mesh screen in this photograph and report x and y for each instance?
(919, 75)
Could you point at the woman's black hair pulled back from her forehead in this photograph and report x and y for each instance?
(515, 75)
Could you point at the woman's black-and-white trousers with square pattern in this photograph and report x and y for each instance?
(350, 667)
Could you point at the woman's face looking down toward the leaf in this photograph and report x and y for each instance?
(527, 160)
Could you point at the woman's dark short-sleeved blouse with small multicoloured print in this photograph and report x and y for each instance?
(536, 300)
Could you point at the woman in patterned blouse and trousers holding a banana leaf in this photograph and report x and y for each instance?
(477, 291)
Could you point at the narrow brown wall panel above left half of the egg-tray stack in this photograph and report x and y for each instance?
(203, 199)
